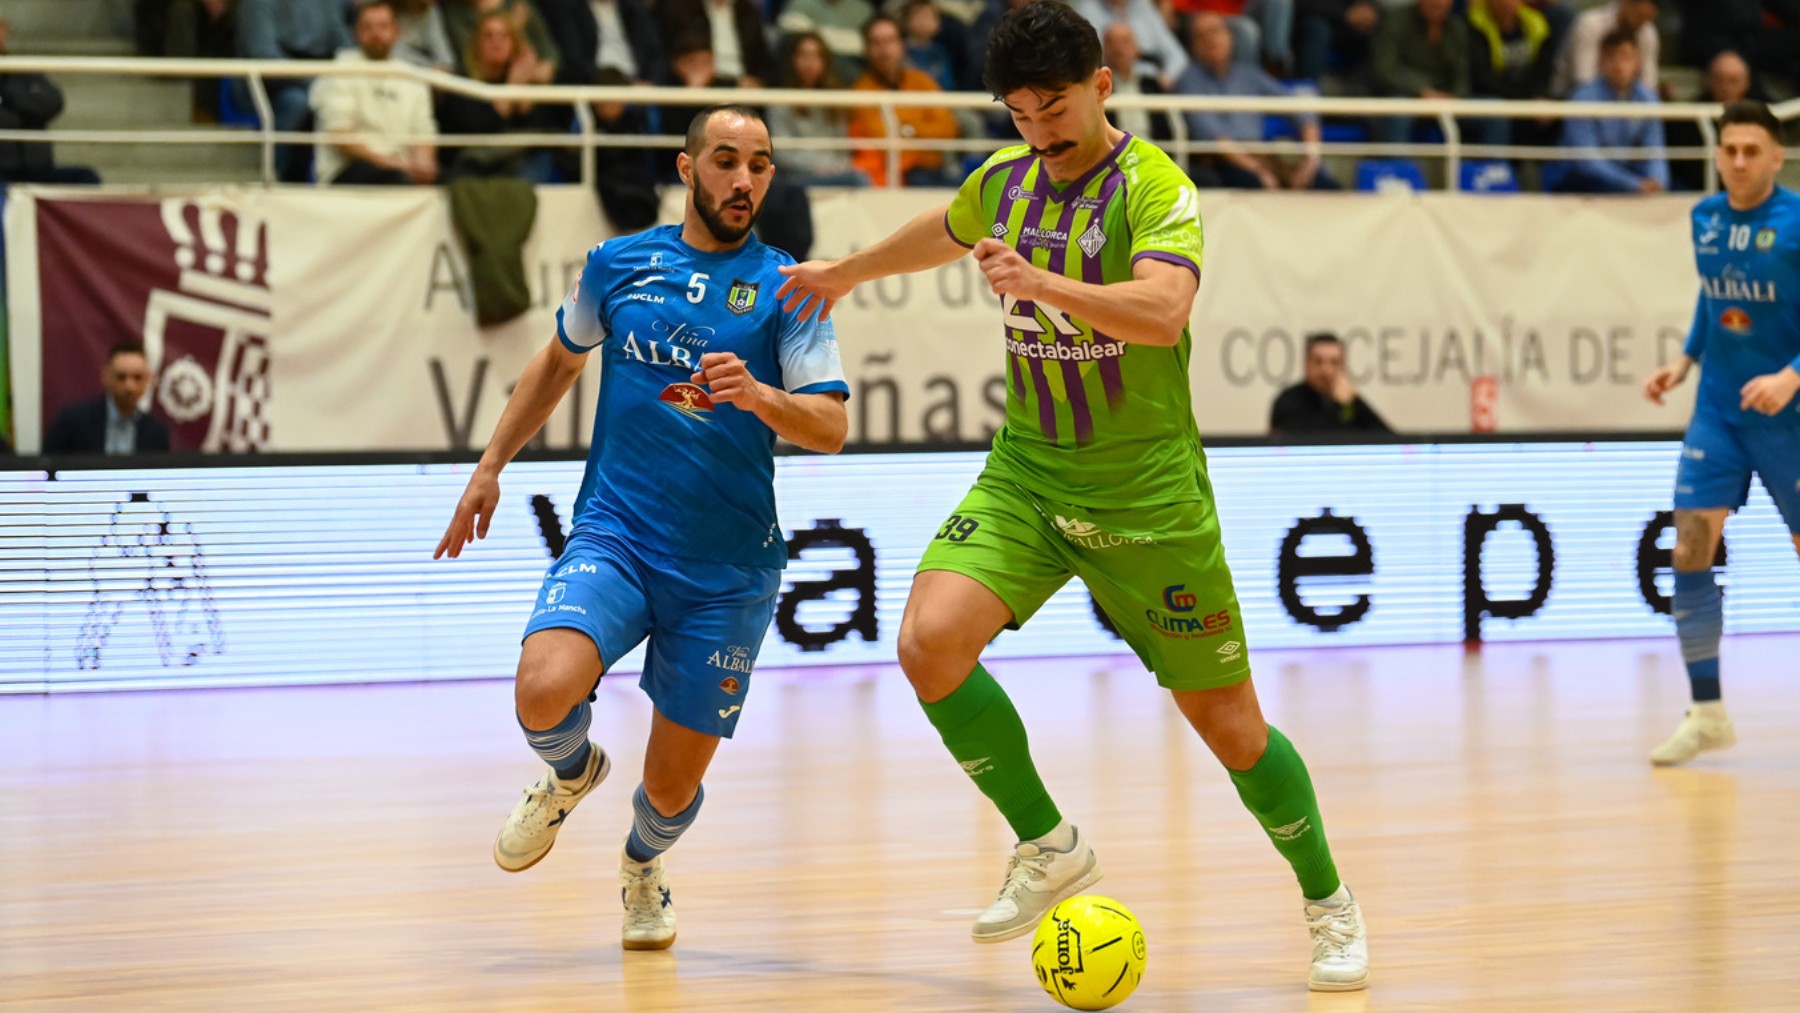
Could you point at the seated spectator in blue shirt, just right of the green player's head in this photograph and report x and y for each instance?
(1214, 73)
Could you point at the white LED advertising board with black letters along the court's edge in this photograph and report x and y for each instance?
(280, 575)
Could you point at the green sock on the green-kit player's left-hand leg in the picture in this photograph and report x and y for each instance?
(985, 735)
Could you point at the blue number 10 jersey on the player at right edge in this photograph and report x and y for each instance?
(1747, 323)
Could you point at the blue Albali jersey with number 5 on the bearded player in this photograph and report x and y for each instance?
(670, 471)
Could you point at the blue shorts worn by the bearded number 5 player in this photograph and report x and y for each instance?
(705, 622)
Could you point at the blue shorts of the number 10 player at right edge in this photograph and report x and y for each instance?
(1718, 460)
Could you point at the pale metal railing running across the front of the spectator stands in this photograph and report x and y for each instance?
(586, 139)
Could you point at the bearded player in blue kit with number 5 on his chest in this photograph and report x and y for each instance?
(676, 535)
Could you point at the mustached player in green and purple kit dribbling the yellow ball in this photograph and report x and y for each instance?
(1092, 238)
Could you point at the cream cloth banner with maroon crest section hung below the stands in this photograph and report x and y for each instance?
(343, 321)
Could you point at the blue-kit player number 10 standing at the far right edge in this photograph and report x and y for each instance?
(1747, 418)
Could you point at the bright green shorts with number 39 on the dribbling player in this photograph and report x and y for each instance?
(1158, 573)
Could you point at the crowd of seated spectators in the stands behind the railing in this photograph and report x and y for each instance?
(1464, 49)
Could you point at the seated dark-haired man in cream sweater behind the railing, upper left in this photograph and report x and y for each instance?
(373, 123)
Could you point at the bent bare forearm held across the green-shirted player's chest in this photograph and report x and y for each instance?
(1149, 310)
